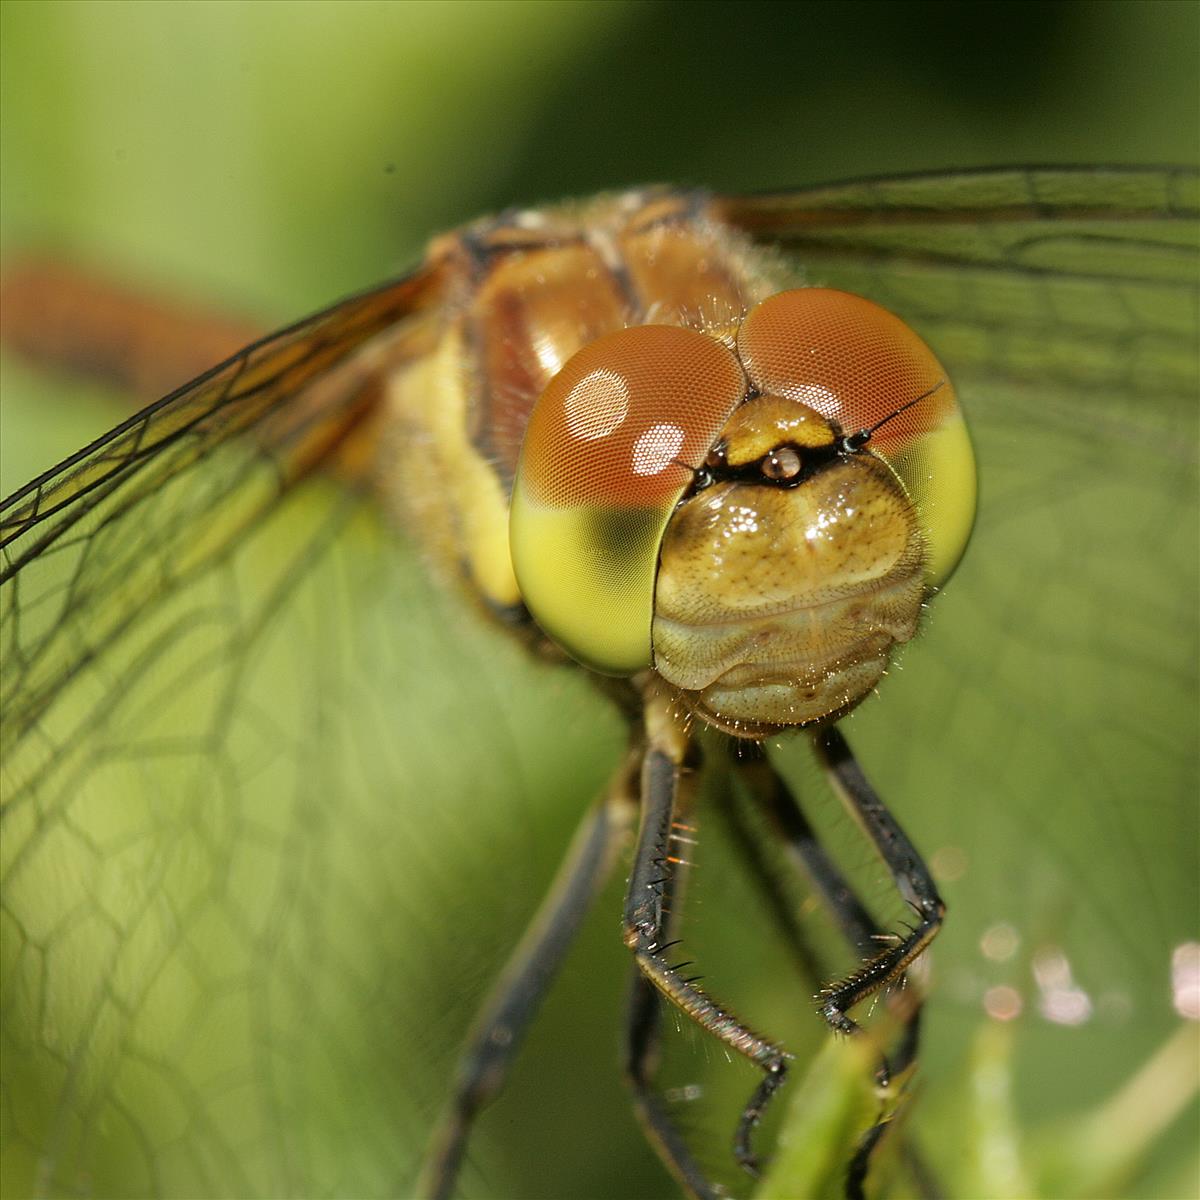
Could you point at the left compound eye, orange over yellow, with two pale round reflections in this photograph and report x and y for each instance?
(610, 448)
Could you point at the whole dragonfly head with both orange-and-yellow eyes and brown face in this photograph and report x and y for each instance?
(757, 518)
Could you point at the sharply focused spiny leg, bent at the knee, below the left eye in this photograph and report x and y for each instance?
(646, 926)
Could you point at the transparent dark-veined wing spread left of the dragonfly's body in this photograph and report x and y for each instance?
(242, 820)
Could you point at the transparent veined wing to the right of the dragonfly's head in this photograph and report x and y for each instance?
(1042, 735)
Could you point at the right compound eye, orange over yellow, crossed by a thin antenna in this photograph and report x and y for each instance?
(857, 364)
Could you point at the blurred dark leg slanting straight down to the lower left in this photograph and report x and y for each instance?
(502, 1023)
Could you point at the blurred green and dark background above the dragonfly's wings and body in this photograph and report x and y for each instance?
(273, 158)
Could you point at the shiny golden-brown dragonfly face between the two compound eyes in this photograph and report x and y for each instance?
(788, 577)
